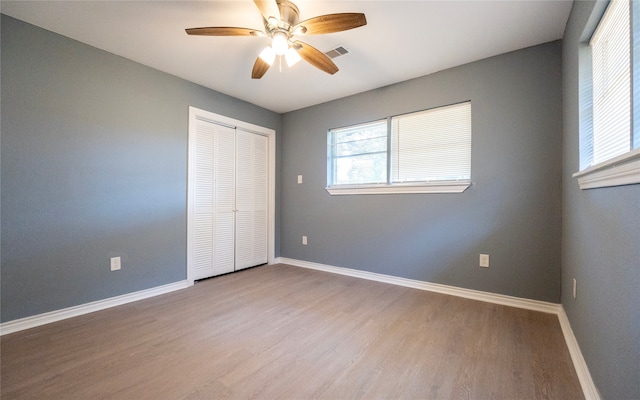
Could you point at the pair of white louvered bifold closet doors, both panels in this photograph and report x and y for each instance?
(230, 199)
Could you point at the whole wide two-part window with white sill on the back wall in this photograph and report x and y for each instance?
(422, 152)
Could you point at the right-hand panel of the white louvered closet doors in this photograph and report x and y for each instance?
(251, 199)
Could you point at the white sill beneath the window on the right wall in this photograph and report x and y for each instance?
(622, 170)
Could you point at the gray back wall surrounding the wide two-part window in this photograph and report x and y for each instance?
(512, 210)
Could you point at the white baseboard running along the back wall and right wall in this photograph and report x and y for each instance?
(588, 386)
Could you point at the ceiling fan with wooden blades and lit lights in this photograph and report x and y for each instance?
(281, 25)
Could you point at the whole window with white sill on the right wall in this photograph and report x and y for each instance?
(609, 154)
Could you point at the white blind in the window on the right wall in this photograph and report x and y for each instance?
(610, 45)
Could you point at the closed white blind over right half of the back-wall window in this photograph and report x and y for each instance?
(432, 145)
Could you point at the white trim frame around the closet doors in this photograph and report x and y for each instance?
(199, 114)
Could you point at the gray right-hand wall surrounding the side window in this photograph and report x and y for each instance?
(600, 248)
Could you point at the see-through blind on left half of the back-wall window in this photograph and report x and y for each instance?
(359, 154)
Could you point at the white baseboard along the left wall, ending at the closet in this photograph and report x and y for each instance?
(58, 315)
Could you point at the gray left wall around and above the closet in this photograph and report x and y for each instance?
(94, 165)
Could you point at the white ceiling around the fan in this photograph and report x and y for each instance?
(402, 40)
